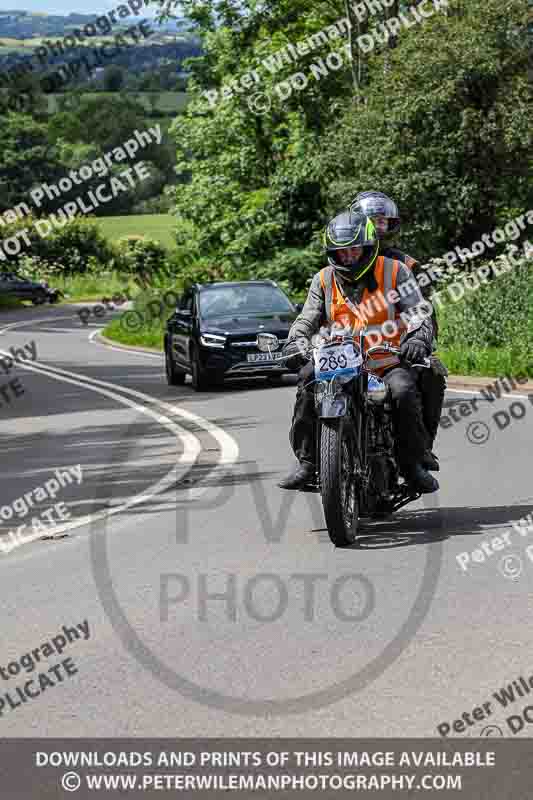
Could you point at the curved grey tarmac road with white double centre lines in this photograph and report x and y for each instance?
(216, 604)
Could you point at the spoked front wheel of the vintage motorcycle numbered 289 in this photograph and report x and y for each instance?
(339, 484)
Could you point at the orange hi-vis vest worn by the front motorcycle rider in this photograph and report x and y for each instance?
(375, 312)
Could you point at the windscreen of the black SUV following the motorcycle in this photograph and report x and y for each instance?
(230, 300)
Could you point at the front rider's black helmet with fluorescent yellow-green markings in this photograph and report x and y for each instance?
(348, 230)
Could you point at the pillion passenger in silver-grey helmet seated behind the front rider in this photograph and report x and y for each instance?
(384, 213)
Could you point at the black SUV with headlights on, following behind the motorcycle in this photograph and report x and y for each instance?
(212, 334)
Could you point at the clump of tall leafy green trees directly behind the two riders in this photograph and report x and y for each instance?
(437, 116)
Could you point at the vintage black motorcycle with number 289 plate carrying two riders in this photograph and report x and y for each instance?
(357, 462)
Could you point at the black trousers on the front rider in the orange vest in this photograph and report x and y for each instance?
(410, 433)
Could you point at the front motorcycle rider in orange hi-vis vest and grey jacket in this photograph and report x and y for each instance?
(350, 290)
